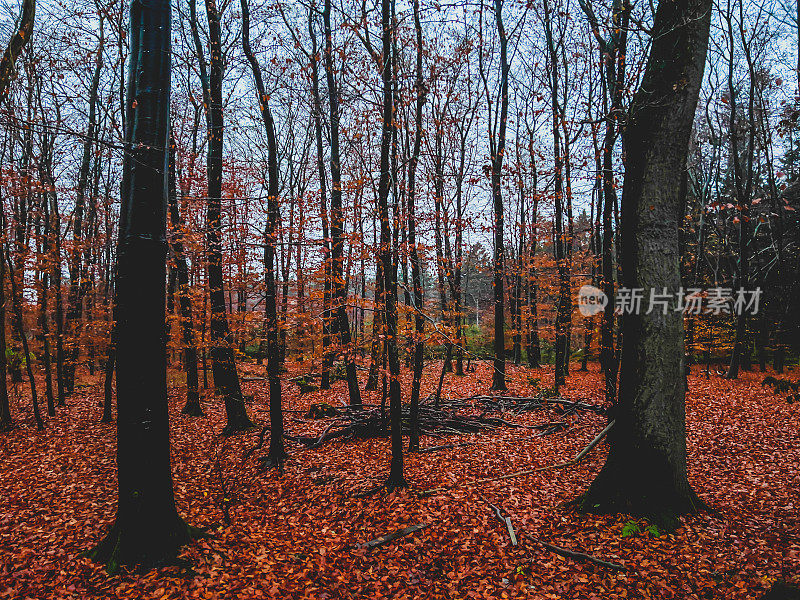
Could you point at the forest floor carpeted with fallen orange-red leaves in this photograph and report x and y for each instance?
(296, 534)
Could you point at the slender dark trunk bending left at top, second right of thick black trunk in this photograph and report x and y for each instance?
(277, 453)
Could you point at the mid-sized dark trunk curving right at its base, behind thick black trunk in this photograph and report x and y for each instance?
(223, 364)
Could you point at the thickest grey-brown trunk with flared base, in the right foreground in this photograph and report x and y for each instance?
(645, 472)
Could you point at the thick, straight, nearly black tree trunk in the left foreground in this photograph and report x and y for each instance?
(148, 530)
